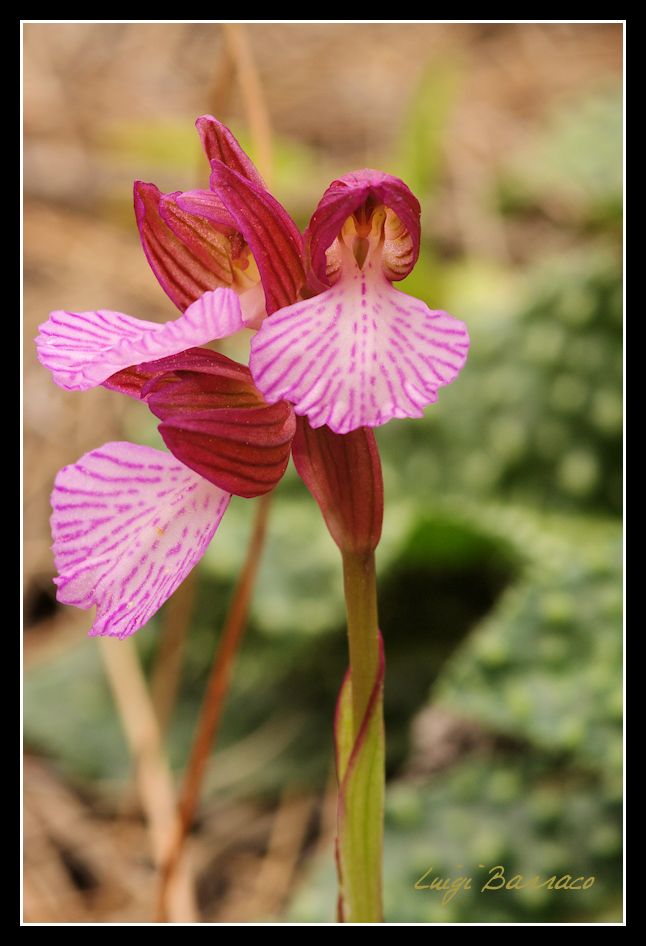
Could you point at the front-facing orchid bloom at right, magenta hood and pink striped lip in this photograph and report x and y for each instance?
(360, 352)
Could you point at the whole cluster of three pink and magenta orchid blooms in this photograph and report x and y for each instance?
(130, 522)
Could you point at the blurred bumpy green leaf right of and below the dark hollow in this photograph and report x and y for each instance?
(546, 666)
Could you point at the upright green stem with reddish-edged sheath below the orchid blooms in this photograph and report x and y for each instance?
(360, 750)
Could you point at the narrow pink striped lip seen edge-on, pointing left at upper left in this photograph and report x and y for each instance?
(82, 349)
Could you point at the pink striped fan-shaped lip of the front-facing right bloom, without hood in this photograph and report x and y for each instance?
(357, 355)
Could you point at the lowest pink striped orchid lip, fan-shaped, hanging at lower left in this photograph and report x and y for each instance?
(129, 523)
